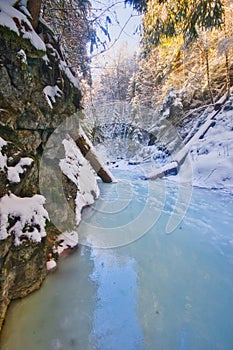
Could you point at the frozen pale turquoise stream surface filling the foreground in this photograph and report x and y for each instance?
(156, 291)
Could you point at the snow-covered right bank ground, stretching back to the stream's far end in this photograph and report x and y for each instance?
(209, 163)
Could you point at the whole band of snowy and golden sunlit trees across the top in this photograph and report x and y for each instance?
(186, 45)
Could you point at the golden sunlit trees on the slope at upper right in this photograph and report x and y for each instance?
(186, 44)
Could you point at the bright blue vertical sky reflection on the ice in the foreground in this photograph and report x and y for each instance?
(115, 312)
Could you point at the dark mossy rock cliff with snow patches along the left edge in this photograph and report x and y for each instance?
(37, 93)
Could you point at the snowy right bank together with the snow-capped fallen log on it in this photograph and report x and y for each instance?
(206, 158)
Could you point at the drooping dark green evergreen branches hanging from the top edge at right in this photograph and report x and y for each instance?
(172, 18)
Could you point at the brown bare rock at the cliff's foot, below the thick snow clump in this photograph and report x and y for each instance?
(22, 270)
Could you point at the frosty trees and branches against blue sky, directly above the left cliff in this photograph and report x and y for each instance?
(80, 26)
